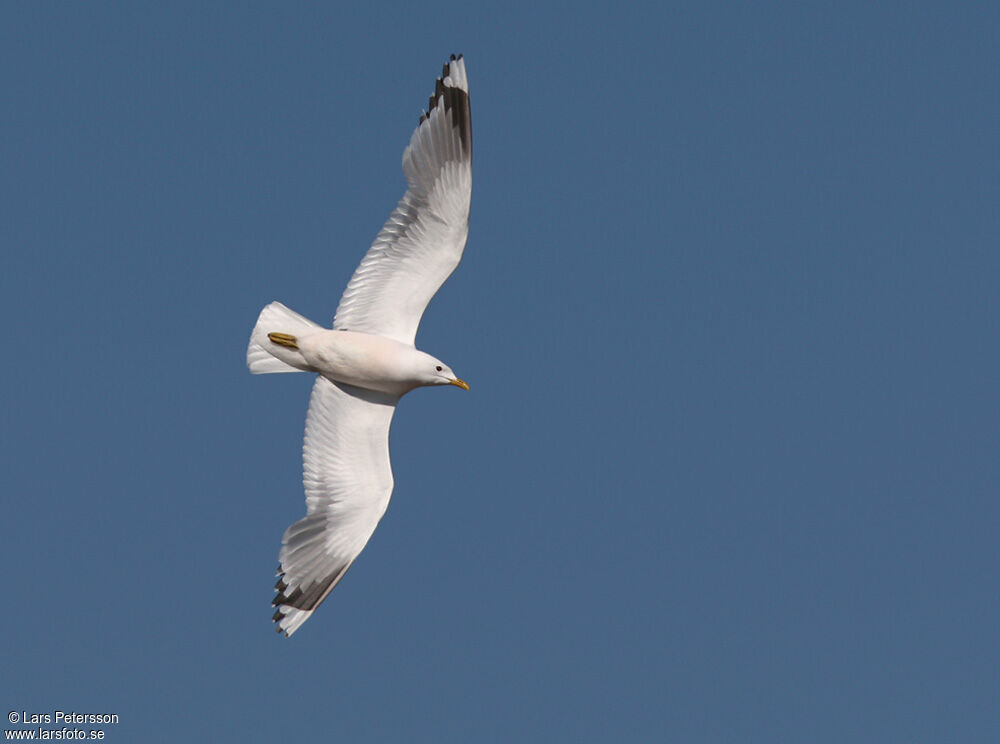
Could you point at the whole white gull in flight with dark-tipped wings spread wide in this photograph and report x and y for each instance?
(368, 360)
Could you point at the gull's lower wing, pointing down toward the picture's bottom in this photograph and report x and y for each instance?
(348, 481)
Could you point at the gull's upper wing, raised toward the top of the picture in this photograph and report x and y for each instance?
(422, 242)
